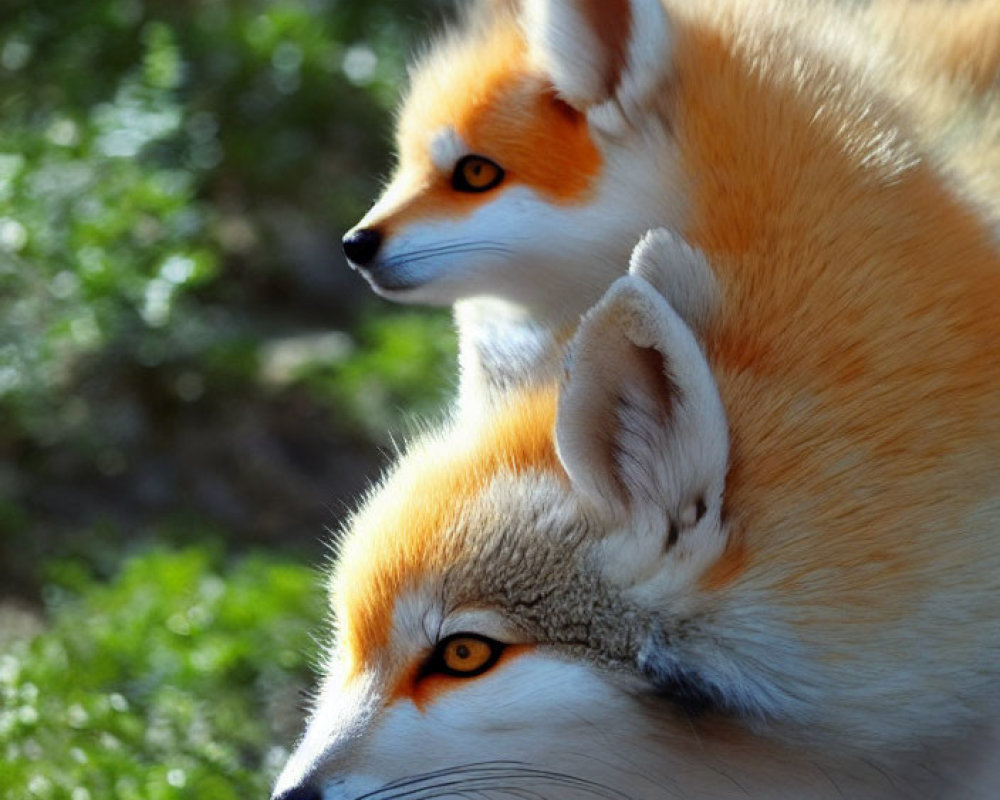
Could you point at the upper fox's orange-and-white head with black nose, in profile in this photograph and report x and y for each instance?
(529, 159)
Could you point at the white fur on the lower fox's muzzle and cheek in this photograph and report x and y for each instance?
(534, 711)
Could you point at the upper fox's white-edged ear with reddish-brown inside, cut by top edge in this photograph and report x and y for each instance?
(596, 51)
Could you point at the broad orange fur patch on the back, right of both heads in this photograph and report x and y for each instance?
(853, 285)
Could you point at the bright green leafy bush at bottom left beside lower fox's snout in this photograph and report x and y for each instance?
(154, 686)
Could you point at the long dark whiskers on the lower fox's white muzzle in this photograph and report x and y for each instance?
(485, 777)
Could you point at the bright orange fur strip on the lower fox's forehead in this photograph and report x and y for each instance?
(414, 528)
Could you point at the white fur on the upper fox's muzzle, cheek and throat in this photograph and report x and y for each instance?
(553, 260)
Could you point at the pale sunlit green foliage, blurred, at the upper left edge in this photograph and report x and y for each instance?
(98, 238)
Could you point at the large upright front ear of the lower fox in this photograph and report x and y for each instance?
(640, 418)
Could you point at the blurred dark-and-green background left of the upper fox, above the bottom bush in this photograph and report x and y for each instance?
(174, 180)
